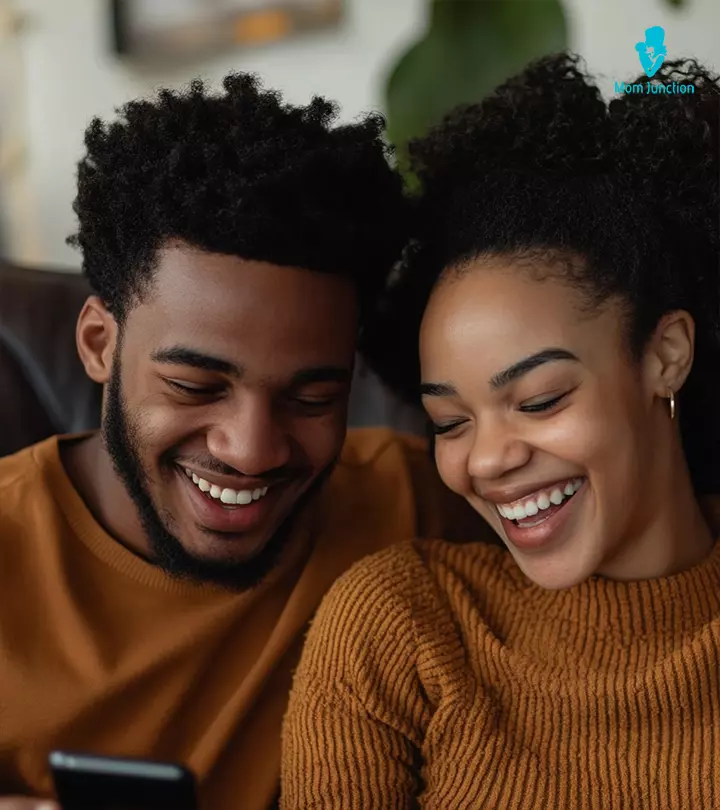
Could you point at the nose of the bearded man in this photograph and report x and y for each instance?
(251, 439)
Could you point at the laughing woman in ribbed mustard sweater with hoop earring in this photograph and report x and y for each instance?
(566, 284)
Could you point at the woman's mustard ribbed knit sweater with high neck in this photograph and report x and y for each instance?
(439, 676)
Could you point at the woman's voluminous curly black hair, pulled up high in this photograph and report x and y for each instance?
(624, 195)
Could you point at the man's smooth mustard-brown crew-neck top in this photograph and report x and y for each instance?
(101, 651)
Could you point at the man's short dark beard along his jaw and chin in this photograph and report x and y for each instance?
(122, 441)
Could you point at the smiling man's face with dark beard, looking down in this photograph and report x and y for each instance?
(226, 407)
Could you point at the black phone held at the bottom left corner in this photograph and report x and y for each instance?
(88, 782)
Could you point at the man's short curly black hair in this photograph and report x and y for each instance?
(242, 173)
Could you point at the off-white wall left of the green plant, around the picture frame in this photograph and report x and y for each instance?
(72, 76)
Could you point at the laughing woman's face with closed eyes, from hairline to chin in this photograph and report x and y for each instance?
(544, 423)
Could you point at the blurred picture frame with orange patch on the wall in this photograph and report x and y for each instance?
(165, 30)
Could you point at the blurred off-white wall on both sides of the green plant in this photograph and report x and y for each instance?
(71, 76)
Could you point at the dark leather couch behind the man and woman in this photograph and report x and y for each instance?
(44, 388)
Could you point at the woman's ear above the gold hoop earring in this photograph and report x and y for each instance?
(670, 353)
